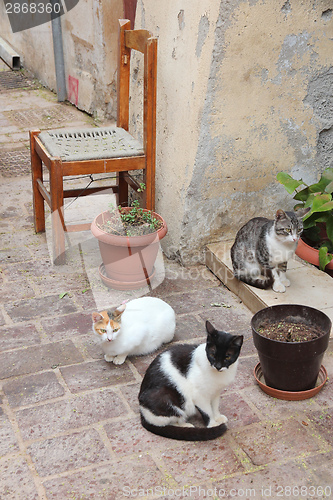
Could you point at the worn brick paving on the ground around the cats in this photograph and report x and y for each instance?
(69, 422)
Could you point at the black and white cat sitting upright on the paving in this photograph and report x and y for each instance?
(185, 380)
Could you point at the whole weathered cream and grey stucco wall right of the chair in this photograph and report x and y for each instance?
(244, 91)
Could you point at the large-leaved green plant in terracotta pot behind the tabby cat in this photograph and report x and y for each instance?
(316, 243)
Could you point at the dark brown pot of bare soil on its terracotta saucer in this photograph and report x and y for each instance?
(291, 340)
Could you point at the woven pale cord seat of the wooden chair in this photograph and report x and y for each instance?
(90, 144)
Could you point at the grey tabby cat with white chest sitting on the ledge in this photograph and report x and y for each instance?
(263, 247)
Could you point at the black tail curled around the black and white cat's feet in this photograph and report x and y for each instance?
(185, 433)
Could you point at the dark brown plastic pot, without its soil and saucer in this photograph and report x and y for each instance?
(291, 366)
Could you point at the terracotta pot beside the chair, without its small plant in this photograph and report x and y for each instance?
(128, 261)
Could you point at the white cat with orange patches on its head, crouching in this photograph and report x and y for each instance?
(139, 327)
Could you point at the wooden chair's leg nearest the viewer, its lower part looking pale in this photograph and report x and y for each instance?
(57, 209)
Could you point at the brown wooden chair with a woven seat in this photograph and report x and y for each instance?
(99, 150)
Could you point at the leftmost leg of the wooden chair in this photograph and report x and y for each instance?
(37, 174)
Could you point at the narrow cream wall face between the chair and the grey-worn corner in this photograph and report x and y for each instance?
(185, 46)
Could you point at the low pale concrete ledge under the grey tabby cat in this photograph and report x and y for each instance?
(309, 286)
